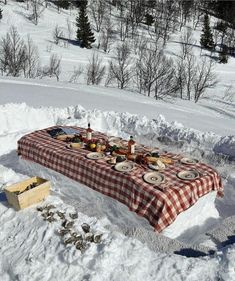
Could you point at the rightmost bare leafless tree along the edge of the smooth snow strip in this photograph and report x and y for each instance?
(204, 79)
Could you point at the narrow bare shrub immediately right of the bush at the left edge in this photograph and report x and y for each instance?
(31, 63)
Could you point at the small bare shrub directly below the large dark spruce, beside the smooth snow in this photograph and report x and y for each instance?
(95, 70)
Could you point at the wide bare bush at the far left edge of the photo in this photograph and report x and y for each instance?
(12, 53)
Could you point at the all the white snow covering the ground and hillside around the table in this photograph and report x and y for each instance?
(31, 248)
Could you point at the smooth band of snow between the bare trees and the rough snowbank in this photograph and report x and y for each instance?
(219, 119)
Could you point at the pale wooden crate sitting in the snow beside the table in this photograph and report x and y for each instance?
(28, 197)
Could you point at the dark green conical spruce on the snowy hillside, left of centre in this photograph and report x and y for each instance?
(85, 36)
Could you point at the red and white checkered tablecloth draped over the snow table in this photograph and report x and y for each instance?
(160, 207)
